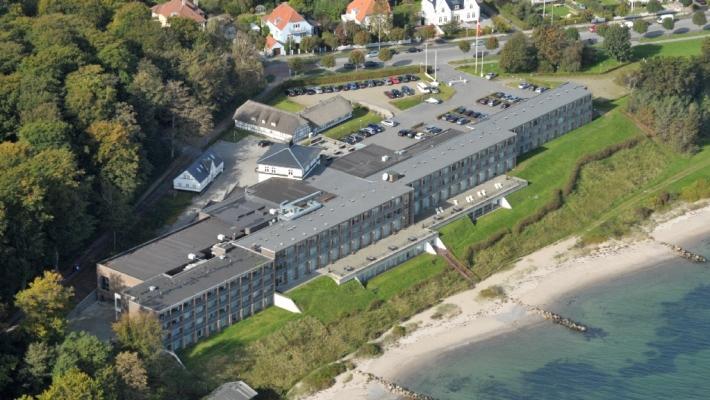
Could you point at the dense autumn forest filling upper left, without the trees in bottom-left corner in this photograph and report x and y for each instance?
(94, 97)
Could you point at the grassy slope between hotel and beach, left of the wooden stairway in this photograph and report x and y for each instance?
(275, 349)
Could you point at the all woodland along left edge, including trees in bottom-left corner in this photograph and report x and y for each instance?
(96, 99)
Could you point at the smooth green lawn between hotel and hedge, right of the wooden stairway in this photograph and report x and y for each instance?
(547, 169)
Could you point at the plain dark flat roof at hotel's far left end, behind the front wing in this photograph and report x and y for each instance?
(169, 251)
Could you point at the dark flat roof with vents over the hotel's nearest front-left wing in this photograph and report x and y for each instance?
(170, 290)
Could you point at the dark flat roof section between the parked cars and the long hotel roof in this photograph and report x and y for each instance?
(368, 160)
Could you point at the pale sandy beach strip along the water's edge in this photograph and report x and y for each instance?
(536, 280)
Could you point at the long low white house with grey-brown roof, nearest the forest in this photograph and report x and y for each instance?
(269, 121)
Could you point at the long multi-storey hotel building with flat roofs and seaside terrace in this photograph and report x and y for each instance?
(242, 252)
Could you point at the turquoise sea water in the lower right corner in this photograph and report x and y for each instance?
(651, 341)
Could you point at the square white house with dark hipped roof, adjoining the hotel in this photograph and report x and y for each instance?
(284, 161)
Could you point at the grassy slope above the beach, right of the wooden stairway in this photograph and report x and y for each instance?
(607, 202)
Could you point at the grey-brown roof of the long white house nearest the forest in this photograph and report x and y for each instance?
(269, 117)
